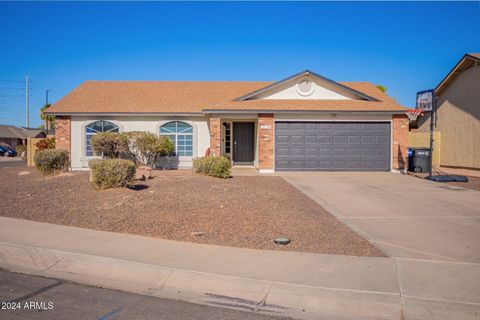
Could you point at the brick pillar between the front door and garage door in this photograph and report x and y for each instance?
(266, 140)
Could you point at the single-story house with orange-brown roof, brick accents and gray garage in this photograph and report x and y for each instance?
(305, 122)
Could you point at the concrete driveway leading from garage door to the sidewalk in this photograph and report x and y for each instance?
(405, 216)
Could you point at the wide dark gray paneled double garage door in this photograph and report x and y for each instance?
(332, 146)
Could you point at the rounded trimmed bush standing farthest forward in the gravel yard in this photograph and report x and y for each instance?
(111, 173)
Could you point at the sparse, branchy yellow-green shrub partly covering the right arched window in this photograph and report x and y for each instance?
(145, 147)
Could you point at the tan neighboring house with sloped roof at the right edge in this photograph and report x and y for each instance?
(458, 121)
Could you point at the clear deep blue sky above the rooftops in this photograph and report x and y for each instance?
(406, 46)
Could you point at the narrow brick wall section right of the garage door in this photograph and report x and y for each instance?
(400, 142)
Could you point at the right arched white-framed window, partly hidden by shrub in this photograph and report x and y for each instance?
(181, 135)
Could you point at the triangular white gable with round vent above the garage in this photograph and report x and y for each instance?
(306, 85)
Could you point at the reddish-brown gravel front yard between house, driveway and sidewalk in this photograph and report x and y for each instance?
(245, 211)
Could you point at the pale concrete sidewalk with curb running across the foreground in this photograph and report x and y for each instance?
(300, 285)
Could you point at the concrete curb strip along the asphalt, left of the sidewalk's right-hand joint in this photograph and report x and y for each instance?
(263, 296)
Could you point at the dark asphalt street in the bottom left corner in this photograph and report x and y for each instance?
(32, 297)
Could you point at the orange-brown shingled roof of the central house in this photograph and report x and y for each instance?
(194, 97)
